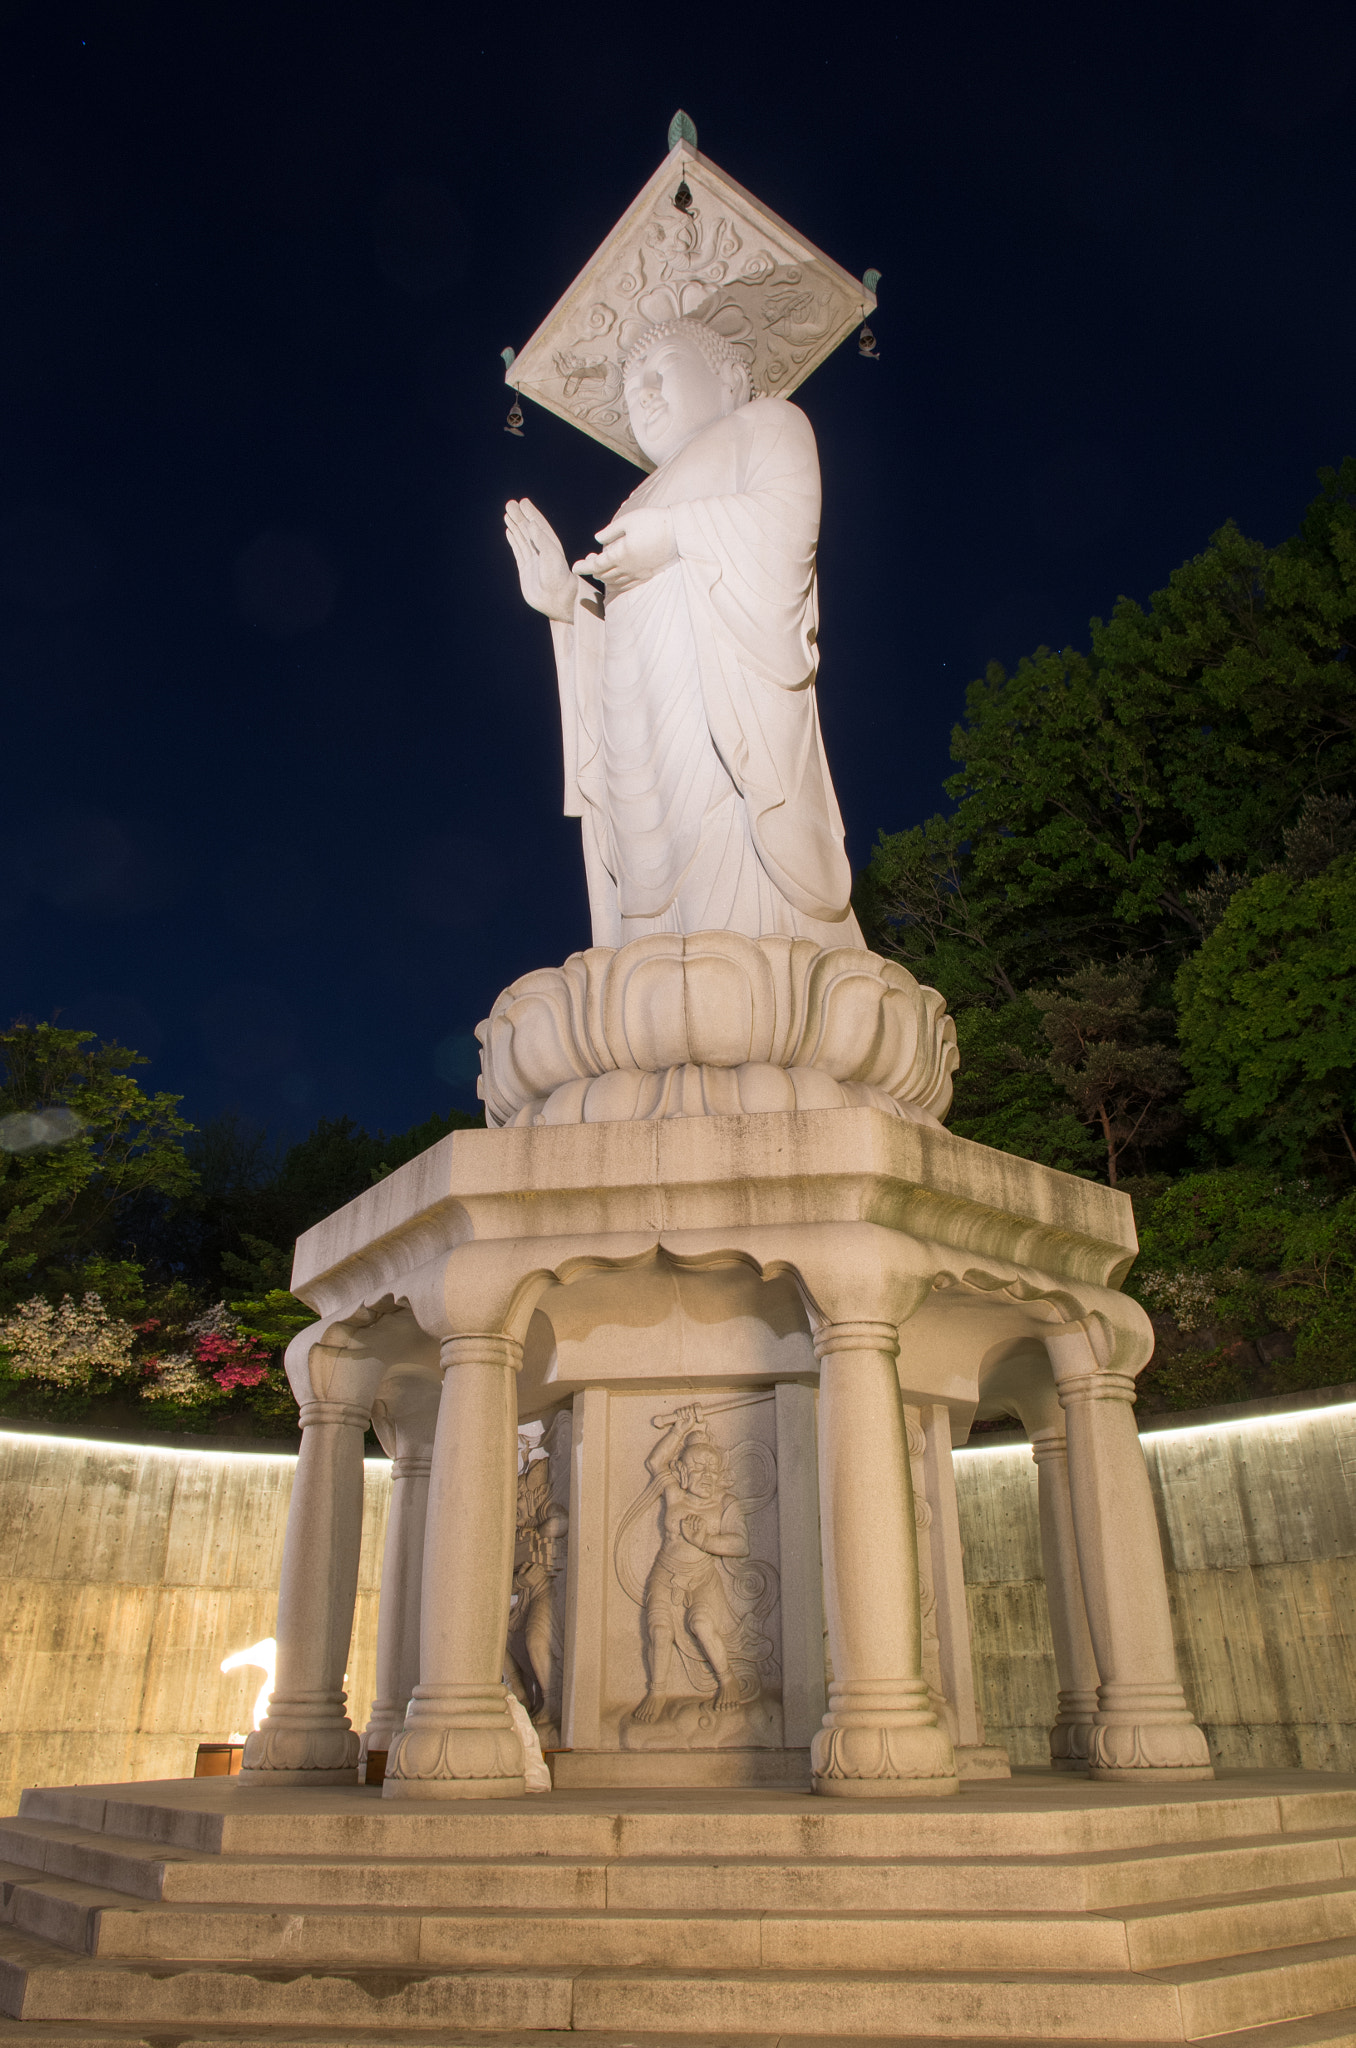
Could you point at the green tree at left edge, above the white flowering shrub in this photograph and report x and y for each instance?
(81, 1144)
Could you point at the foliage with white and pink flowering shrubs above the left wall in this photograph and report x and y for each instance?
(146, 1271)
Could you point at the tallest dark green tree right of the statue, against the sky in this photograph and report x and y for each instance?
(1099, 792)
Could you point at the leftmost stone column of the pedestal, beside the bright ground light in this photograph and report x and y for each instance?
(306, 1738)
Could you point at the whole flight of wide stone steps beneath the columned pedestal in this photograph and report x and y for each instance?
(1040, 1910)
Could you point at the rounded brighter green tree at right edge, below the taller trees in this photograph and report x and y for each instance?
(1269, 1017)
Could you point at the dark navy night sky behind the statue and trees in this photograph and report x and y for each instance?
(282, 749)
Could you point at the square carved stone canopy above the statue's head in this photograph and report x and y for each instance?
(691, 245)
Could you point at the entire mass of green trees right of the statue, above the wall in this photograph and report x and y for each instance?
(1142, 908)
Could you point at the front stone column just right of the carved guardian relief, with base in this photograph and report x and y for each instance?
(880, 1738)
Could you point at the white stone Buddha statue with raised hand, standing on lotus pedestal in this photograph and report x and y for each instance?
(693, 749)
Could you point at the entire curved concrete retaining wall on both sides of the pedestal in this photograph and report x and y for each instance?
(130, 1574)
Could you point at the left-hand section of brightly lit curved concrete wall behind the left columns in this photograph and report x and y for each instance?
(128, 1576)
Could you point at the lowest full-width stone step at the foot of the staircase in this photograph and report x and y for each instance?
(1162, 2006)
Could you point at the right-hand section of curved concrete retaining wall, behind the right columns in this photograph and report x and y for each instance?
(1259, 1527)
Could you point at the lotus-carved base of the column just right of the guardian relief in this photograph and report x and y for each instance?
(876, 1750)
